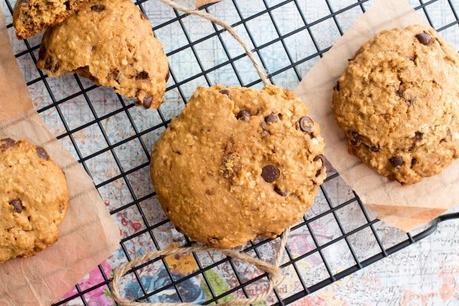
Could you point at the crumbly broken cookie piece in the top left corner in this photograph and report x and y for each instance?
(30, 17)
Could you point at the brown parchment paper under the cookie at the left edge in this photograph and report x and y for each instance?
(87, 236)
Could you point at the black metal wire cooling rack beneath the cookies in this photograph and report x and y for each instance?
(296, 66)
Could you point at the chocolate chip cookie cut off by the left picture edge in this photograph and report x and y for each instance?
(33, 199)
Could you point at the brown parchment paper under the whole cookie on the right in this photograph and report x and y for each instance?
(405, 207)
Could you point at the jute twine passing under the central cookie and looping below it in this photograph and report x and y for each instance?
(273, 270)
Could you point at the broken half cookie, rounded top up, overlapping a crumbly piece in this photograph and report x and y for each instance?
(112, 43)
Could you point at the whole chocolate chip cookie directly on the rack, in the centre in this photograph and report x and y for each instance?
(238, 163)
